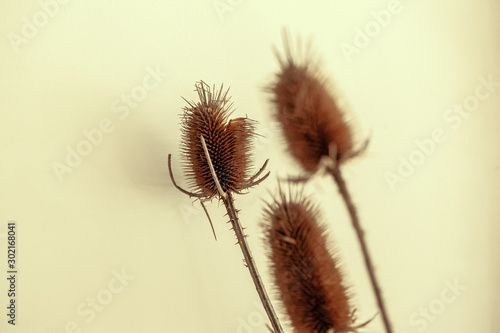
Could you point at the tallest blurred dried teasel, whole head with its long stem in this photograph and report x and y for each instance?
(317, 134)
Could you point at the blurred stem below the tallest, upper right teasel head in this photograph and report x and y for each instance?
(337, 176)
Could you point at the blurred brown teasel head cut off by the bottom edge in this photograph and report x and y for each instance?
(307, 276)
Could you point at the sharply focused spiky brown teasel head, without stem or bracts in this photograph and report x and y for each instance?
(228, 142)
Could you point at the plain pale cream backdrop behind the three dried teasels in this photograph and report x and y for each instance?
(118, 210)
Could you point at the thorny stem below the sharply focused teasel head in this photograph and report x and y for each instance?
(250, 263)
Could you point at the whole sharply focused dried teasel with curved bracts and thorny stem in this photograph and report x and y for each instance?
(217, 160)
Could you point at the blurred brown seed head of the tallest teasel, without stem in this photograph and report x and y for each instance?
(310, 117)
